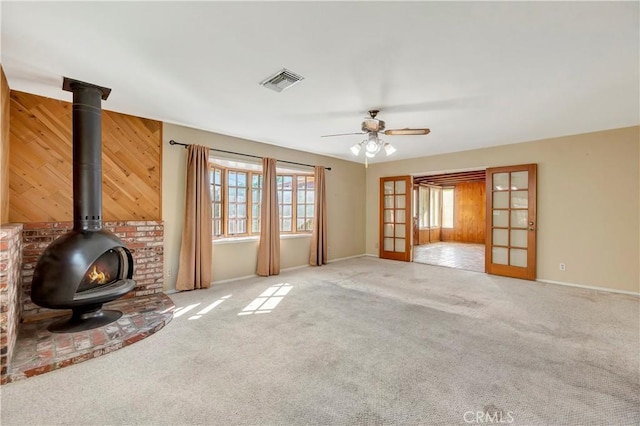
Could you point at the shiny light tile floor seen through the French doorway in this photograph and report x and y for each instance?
(454, 255)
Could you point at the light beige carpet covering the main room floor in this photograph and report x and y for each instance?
(362, 341)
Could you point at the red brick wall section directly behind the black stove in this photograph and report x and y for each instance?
(145, 240)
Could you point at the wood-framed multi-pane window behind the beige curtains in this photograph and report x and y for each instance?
(236, 196)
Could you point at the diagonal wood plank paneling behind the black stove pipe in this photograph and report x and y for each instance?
(40, 163)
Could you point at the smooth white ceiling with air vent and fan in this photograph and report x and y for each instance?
(477, 74)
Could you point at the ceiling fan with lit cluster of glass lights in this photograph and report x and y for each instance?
(372, 127)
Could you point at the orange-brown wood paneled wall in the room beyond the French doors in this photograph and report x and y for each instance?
(469, 214)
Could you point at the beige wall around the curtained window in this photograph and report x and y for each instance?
(345, 203)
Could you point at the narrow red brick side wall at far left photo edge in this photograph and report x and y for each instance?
(10, 260)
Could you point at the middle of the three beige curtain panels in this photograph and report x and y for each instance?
(269, 248)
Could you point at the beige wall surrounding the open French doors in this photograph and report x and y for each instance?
(588, 202)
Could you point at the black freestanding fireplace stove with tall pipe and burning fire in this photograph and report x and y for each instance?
(87, 266)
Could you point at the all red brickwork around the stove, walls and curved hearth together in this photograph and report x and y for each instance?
(27, 348)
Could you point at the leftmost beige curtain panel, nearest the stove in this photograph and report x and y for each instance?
(194, 270)
